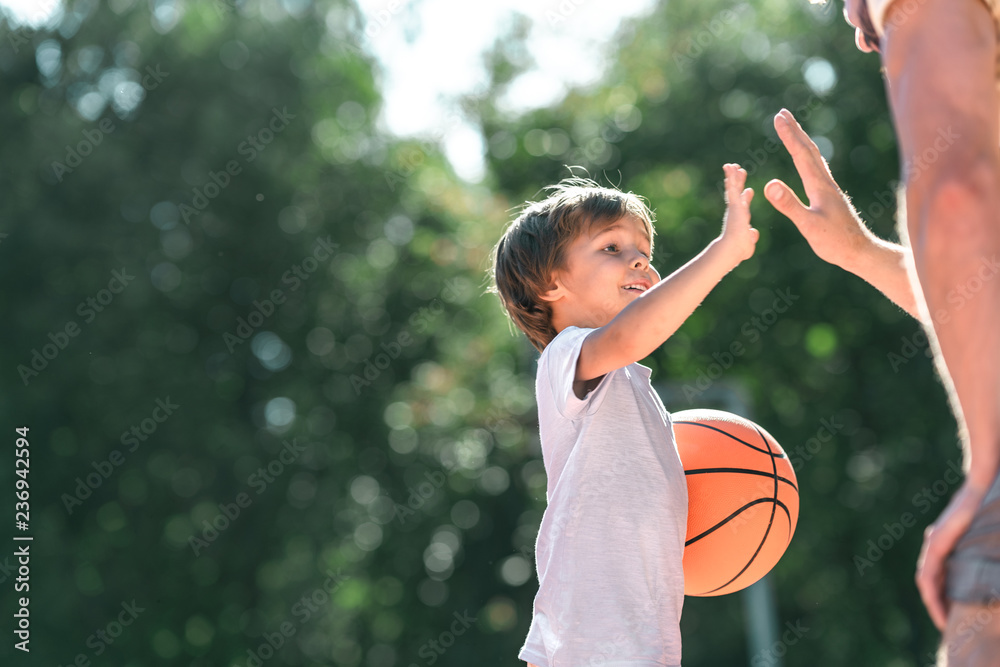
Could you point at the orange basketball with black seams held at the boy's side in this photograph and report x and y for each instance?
(743, 500)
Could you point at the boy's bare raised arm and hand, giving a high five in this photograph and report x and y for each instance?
(643, 325)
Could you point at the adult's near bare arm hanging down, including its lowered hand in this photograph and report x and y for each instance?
(940, 63)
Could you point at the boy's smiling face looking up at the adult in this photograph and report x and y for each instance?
(603, 272)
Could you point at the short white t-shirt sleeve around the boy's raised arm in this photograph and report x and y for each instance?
(557, 369)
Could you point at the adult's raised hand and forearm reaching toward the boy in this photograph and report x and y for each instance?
(830, 224)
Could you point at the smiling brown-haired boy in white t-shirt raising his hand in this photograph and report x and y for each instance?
(573, 272)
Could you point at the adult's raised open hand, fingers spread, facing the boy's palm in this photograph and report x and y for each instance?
(829, 223)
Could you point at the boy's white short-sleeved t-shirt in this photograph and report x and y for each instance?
(611, 543)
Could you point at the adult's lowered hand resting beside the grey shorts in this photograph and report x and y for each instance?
(940, 539)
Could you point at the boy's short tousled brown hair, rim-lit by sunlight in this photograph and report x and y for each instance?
(534, 245)
